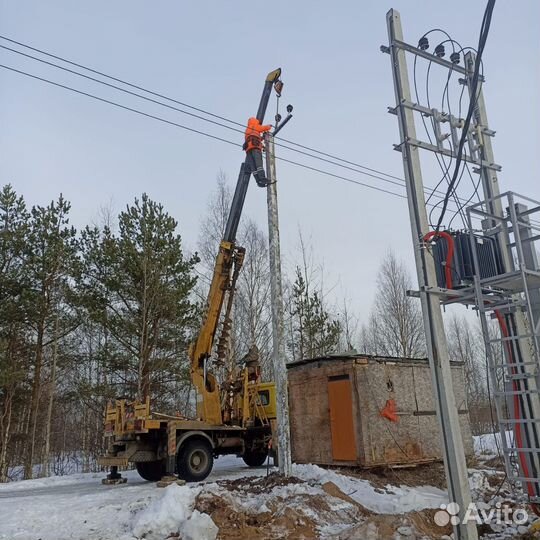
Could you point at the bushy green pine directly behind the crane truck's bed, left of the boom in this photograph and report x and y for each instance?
(137, 284)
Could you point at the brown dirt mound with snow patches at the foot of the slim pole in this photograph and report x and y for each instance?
(304, 511)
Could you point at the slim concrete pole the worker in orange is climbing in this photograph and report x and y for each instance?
(278, 355)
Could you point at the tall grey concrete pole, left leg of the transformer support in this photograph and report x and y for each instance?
(451, 441)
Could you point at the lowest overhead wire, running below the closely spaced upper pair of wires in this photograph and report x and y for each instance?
(176, 124)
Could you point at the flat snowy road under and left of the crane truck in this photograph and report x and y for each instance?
(79, 507)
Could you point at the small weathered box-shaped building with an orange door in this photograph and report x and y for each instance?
(367, 411)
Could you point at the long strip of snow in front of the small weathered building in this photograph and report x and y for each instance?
(391, 500)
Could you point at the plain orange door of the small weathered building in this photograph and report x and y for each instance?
(341, 420)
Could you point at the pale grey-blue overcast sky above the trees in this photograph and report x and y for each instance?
(215, 55)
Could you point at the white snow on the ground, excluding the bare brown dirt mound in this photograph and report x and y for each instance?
(80, 507)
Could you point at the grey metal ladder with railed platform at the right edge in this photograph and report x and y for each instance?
(513, 300)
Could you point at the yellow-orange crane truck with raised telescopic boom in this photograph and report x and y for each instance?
(235, 417)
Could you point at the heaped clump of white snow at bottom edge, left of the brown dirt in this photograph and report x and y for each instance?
(173, 513)
